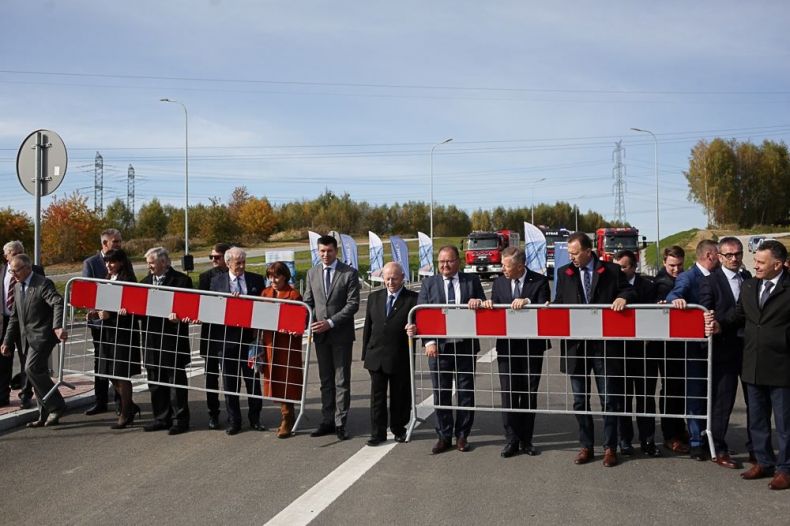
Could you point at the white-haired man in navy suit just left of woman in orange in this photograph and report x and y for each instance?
(233, 343)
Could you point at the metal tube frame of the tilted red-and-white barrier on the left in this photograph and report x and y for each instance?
(68, 312)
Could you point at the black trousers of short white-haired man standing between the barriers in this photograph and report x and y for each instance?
(400, 403)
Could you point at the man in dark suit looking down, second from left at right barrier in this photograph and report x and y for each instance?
(519, 361)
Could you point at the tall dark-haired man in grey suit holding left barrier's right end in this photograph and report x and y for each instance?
(333, 293)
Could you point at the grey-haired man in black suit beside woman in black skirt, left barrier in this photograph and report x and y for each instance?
(167, 353)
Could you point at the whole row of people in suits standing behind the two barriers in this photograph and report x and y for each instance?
(749, 318)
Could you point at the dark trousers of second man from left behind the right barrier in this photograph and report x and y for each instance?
(519, 379)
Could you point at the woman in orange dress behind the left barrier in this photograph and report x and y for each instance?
(282, 372)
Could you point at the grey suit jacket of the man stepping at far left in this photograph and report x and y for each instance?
(36, 316)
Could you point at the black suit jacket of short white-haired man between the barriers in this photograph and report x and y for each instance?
(385, 344)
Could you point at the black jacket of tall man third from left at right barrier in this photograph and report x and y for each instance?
(608, 283)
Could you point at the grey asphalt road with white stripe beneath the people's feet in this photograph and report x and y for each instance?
(81, 472)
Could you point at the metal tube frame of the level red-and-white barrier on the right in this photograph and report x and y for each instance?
(413, 350)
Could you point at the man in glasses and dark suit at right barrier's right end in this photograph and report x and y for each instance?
(719, 292)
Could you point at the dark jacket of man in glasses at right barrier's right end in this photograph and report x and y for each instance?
(715, 293)
